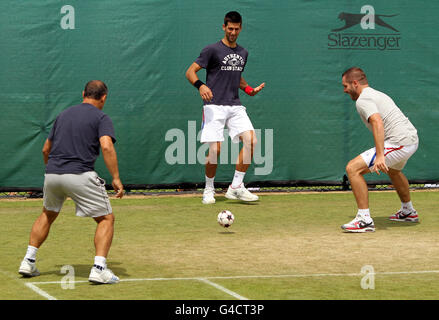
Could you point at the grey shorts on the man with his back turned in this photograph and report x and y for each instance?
(86, 190)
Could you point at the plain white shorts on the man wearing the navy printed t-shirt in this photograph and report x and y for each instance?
(215, 118)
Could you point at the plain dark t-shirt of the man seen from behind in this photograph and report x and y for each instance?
(75, 139)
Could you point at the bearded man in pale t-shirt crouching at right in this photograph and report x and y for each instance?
(396, 140)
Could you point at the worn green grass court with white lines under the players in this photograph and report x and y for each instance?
(285, 247)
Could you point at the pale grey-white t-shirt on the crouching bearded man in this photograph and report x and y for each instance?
(398, 129)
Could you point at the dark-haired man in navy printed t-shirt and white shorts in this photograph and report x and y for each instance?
(224, 62)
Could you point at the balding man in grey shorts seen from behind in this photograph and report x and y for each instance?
(70, 153)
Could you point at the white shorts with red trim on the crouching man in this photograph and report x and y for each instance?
(395, 156)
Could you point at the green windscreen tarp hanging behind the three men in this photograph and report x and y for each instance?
(307, 128)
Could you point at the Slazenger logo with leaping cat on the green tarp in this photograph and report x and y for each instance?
(368, 20)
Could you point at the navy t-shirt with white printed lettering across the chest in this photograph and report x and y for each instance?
(224, 66)
